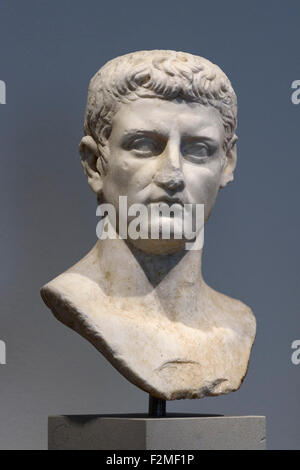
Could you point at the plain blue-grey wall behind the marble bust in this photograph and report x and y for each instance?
(49, 51)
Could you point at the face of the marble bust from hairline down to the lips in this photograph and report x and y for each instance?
(165, 151)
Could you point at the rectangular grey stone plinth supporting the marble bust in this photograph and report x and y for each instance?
(139, 432)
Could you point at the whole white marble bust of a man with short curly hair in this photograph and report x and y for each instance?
(159, 127)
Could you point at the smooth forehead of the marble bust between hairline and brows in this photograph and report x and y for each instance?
(164, 117)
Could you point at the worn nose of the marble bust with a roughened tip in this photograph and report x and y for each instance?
(169, 176)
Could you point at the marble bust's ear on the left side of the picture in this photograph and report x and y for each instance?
(90, 161)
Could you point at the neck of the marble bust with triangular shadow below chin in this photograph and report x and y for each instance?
(174, 281)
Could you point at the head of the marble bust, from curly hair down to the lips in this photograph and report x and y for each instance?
(160, 126)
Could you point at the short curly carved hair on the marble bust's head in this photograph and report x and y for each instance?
(162, 74)
